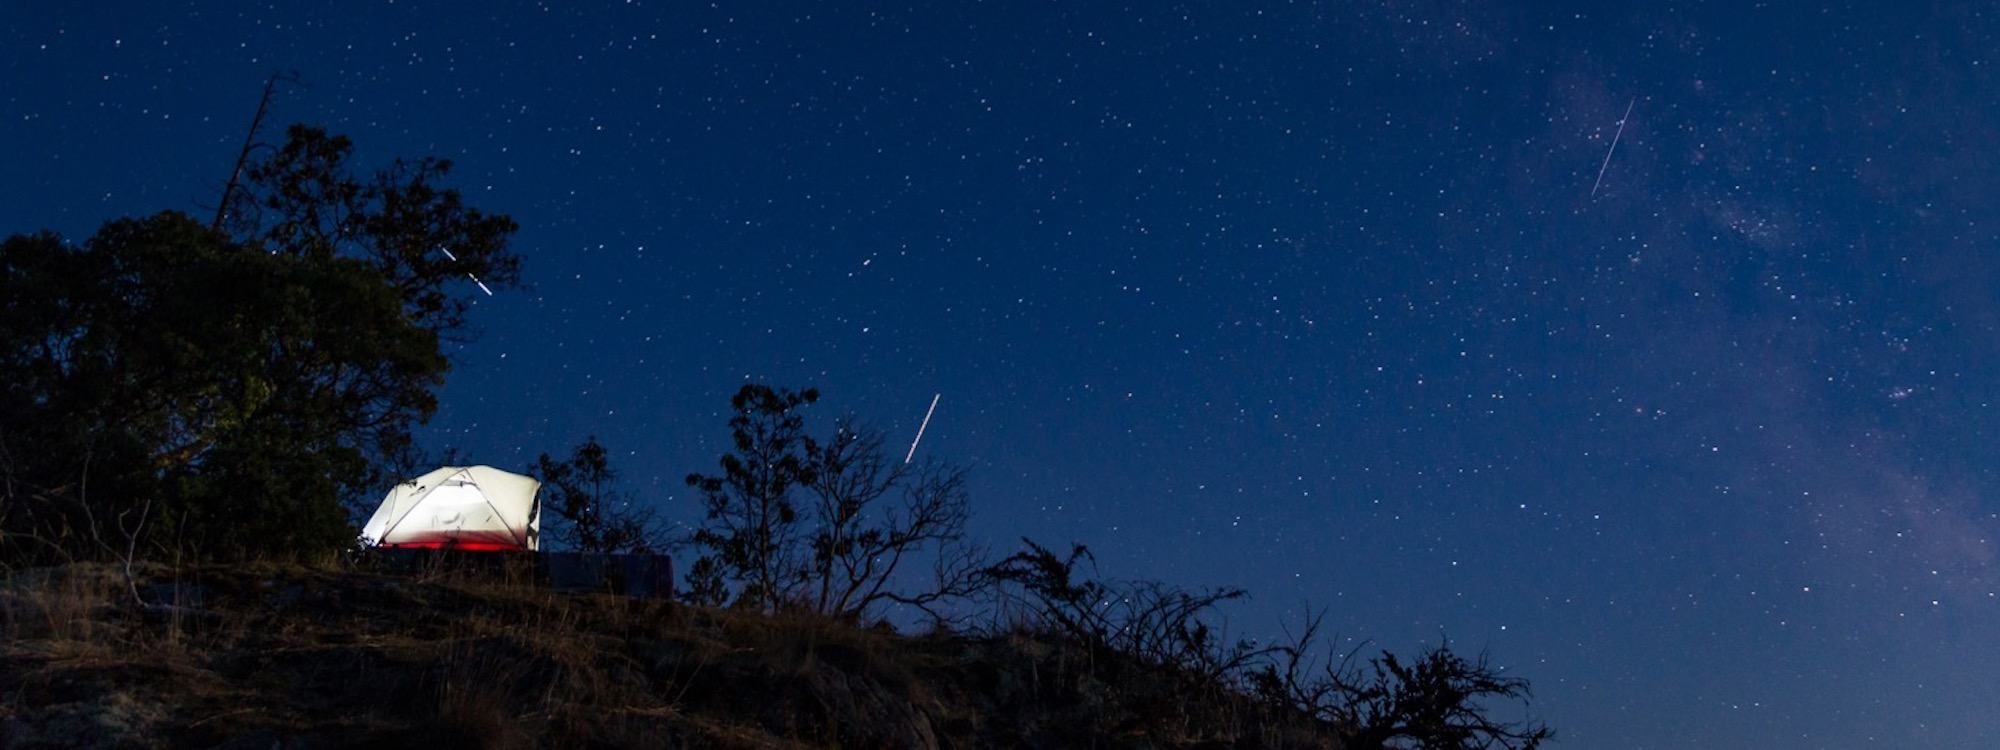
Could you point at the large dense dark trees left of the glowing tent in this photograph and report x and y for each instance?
(243, 383)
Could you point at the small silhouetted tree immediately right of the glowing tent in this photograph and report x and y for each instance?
(585, 497)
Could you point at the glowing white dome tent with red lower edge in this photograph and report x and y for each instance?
(463, 509)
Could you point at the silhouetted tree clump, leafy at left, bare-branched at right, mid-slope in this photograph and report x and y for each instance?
(831, 527)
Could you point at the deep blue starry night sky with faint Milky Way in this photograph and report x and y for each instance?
(1325, 301)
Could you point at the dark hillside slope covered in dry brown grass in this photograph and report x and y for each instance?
(259, 657)
